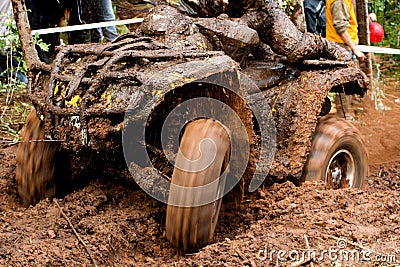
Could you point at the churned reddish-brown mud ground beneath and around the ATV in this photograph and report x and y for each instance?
(122, 226)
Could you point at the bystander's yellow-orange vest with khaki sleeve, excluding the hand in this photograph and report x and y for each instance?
(340, 16)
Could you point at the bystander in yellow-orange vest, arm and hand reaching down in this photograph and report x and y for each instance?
(341, 25)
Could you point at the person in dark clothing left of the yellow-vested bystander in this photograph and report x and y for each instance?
(314, 11)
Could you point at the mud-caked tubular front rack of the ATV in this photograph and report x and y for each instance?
(80, 74)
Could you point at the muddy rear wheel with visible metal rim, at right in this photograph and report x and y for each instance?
(338, 155)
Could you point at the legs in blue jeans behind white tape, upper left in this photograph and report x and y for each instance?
(105, 13)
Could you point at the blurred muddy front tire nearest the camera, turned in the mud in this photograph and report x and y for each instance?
(191, 227)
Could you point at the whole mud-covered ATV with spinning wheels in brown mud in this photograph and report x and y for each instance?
(169, 107)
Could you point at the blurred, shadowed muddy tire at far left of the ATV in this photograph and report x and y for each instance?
(35, 163)
